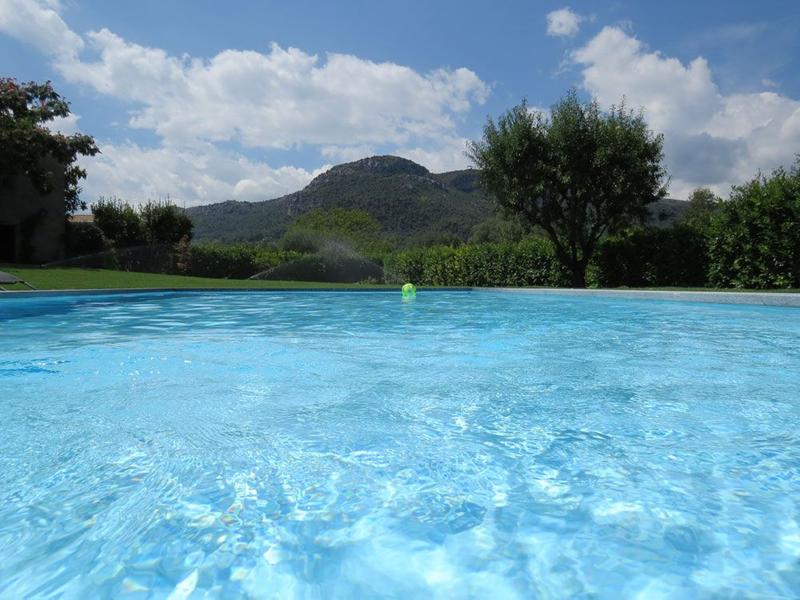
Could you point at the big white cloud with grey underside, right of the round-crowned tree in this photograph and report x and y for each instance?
(710, 138)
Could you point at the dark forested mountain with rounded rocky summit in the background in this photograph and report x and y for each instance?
(404, 197)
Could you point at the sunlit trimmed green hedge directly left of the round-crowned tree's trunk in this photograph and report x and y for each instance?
(527, 263)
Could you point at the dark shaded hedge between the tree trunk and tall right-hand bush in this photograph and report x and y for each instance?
(651, 257)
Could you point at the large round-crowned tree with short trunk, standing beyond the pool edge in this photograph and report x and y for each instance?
(578, 174)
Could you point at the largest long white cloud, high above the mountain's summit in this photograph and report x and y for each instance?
(277, 99)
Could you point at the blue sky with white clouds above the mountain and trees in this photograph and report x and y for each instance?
(200, 101)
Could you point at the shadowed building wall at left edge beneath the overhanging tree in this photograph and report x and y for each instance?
(36, 221)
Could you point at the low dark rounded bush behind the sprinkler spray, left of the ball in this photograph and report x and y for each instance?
(326, 267)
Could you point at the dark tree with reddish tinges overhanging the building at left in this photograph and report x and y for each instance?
(25, 141)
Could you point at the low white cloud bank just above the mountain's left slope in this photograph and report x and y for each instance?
(195, 176)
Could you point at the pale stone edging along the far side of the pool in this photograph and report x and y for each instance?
(777, 298)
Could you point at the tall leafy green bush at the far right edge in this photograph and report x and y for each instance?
(754, 241)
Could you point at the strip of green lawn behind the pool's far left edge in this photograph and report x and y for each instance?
(67, 278)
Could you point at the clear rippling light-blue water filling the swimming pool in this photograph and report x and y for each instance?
(351, 445)
